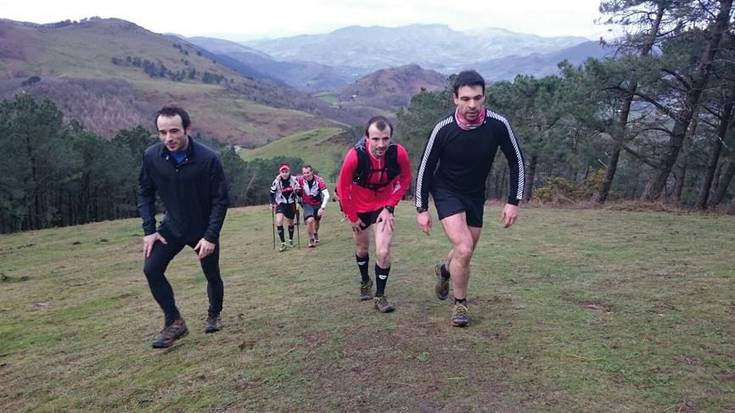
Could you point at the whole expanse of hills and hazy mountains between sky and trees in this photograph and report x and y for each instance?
(110, 73)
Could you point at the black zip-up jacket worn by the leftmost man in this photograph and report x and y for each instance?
(194, 193)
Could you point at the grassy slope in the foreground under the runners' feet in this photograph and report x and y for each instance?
(572, 310)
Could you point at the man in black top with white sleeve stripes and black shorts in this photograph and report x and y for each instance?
(454, 166)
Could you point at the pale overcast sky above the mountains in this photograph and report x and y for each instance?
(277, 18)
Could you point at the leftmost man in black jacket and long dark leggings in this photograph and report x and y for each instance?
(190, 181)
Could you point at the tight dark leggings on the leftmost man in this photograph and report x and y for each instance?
(155, 266)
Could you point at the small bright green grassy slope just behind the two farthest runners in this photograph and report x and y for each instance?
(323, 148)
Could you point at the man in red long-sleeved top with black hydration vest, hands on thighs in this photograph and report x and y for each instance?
(374, 177)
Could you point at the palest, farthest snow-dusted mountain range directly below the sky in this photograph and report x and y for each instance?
(431, 46)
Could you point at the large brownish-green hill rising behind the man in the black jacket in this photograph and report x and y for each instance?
(112, 74)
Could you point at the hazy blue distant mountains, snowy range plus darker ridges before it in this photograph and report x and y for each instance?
(332, 61)
